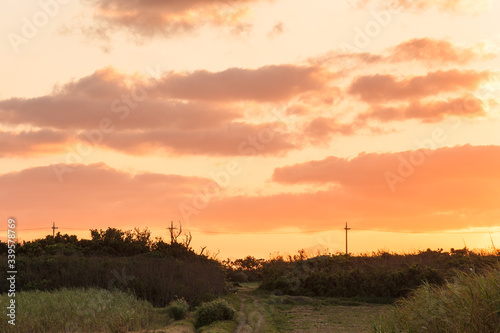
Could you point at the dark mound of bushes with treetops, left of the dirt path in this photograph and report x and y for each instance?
(156, 271)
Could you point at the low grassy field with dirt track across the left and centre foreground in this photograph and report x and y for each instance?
(97, 310)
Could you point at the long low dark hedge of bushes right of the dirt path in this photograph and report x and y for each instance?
(381, 275)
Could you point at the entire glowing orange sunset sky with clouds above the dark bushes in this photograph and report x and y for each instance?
(262, 125)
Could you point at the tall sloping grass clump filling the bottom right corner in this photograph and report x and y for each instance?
(471, 303)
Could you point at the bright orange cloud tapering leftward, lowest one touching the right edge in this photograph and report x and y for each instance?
(367, 170)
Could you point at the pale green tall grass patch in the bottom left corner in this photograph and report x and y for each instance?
(77, 310)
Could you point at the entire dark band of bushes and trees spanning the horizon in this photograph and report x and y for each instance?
(160, 271)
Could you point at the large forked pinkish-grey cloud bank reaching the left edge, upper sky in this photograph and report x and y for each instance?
(172, 114)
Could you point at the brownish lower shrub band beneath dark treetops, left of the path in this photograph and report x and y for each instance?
(158, 280)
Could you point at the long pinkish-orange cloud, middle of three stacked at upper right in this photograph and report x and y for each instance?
(382, 88)
